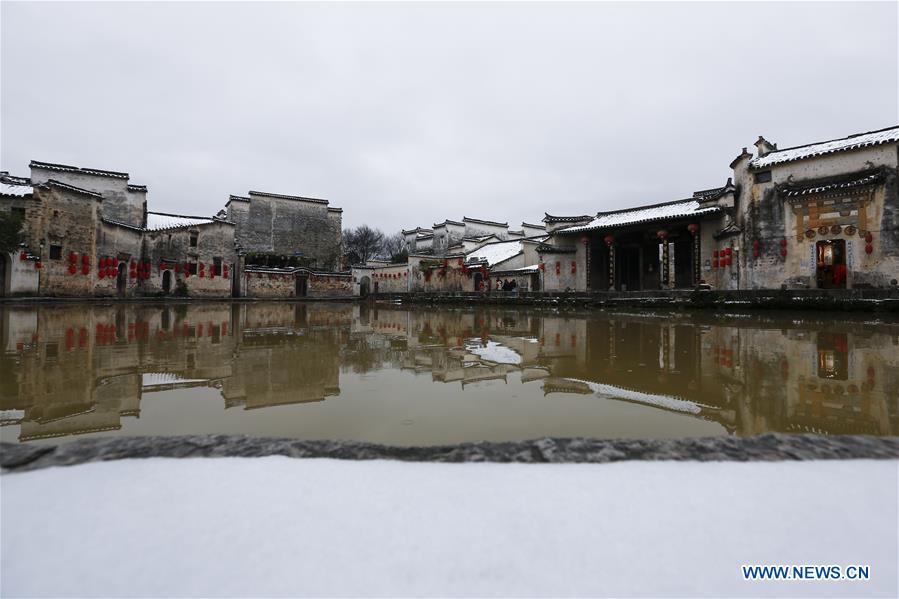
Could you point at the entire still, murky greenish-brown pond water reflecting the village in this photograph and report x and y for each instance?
(405, 376)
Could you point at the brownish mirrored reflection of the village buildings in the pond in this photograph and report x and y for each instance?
(68, 370)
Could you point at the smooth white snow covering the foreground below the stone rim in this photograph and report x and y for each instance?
(278, 526)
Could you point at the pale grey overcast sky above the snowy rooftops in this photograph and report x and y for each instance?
(407, 114)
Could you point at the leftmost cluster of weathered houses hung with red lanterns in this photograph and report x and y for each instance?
(87, 232)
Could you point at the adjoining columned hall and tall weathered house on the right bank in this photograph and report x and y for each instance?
(818, 216)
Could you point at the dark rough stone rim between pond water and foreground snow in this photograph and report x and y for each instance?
(15, 457)
